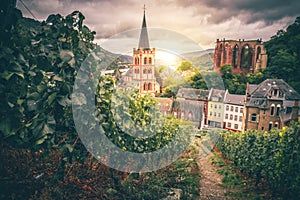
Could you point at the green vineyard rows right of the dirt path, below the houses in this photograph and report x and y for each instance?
(270, 159)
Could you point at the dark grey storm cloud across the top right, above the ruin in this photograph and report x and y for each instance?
(249, 11)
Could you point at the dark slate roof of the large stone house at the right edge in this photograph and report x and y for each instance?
(265, 88)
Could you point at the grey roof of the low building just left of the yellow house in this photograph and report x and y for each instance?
(191, 93)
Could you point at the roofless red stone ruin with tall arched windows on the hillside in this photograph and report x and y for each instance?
(245, 56)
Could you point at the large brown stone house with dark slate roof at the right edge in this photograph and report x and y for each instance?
(271, 104)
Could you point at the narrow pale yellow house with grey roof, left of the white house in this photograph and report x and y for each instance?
(215, 108)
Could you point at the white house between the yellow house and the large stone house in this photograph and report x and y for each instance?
(233, 112)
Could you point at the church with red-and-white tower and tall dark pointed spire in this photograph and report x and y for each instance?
(142, 75)
